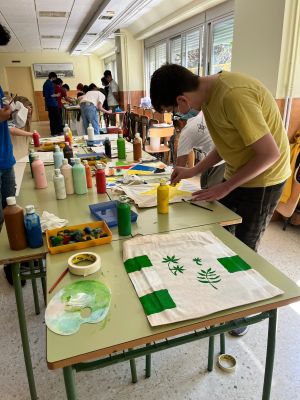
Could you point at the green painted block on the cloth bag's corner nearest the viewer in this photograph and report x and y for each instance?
(156, 302)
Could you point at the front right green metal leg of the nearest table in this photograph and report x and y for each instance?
(270, 355)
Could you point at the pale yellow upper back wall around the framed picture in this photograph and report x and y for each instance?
(87, 69)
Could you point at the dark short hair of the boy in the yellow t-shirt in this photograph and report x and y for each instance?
(168, 82)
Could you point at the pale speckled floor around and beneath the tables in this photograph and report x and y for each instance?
(178, 374)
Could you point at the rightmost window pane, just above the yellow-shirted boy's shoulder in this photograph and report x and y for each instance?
(221, 46)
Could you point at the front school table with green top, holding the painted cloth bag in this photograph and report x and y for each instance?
(98, 345)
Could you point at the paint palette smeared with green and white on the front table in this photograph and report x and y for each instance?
(84, 301)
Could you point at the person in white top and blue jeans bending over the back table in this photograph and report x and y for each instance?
(90, 103)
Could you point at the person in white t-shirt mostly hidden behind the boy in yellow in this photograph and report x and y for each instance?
(195, 135)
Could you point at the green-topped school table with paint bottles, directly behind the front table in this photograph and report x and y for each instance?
(75, 209)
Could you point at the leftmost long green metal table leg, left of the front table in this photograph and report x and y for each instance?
(23, 328)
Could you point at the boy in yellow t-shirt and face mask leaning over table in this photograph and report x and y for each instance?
(247, 130)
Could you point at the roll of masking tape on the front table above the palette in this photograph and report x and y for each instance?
(84, 264)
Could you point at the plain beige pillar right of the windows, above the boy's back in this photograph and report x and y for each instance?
(257, 39)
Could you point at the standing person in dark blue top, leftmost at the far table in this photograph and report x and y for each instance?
(52, 105)
